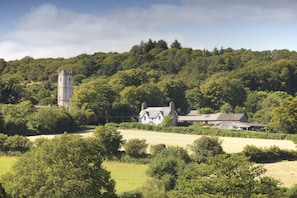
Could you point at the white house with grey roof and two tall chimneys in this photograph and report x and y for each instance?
(155, 115)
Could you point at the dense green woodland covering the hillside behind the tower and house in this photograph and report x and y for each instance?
(110, 87)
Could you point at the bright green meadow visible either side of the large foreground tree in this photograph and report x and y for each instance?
(128, 176)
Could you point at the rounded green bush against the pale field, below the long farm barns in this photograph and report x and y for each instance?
(205, 147)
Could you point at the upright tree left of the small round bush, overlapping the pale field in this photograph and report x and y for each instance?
(110, 138)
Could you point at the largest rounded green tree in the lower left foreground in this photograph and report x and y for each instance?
(66, 166)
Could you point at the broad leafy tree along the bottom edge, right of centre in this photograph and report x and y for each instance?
(225, 176)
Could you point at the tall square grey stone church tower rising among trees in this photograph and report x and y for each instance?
(65, 87)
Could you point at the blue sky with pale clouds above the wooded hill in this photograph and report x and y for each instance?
(67, 28)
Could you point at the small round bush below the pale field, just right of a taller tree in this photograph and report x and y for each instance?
(136, 148)
